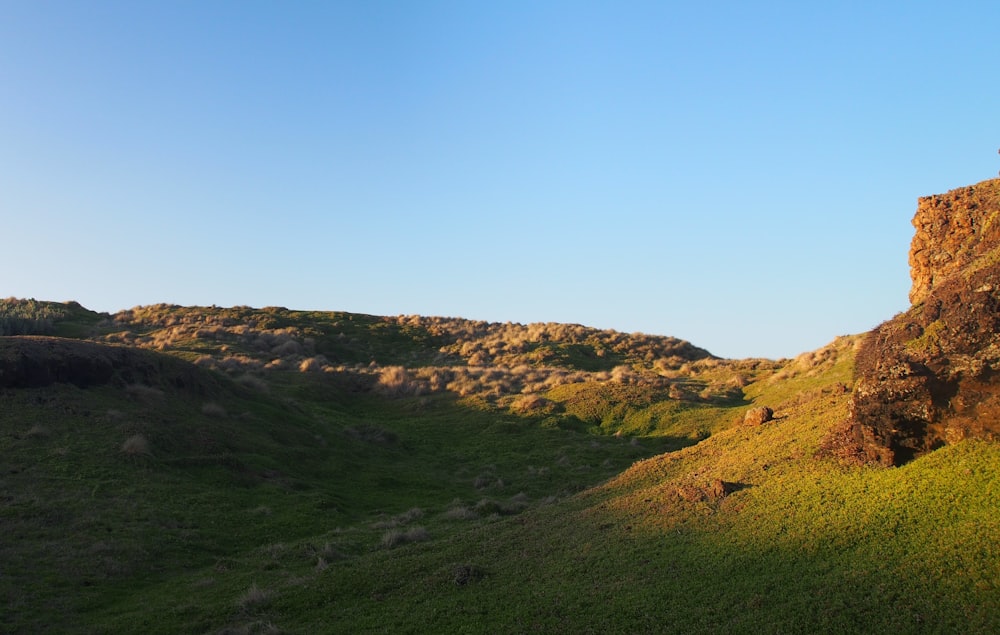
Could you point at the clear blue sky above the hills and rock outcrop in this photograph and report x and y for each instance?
(738, 174)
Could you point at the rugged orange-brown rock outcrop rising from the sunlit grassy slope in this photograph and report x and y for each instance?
(930, 376)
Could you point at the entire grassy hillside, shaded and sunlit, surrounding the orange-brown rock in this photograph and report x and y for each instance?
(325, 472)
